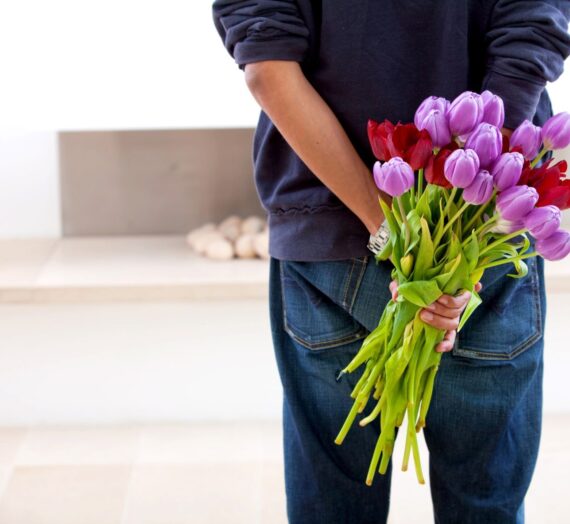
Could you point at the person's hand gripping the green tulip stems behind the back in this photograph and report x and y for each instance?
(444, 313)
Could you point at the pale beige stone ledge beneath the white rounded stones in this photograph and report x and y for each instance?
(154, 268)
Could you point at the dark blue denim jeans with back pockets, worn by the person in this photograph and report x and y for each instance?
(484, 423)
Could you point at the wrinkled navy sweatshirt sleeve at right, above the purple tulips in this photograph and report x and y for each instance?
(526, 44)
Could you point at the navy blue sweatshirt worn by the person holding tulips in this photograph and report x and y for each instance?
(379, 59)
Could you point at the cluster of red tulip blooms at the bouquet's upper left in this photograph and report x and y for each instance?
(400, 140)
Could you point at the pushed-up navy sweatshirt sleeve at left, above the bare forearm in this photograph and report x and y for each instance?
(253, 31)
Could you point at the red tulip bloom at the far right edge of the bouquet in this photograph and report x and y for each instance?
(550, 181)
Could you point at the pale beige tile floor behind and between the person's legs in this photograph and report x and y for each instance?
(201, 474)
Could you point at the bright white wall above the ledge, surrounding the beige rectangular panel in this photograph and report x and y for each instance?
(110, 64)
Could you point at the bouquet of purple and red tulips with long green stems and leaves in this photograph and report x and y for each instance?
(464, 198)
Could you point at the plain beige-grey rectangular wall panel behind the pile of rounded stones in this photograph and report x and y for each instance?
(154, 182)
